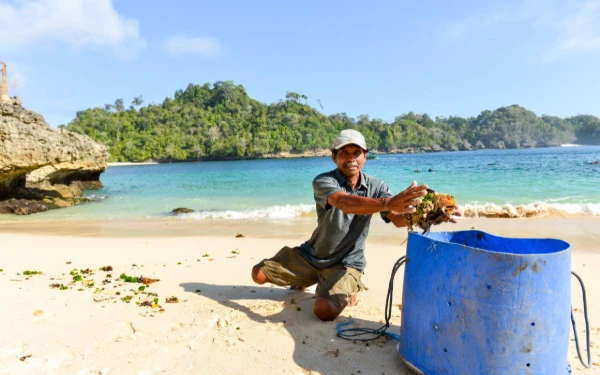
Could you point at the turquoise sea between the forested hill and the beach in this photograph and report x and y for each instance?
(524, 182)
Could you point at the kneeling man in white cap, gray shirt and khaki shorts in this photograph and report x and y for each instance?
(334, 257)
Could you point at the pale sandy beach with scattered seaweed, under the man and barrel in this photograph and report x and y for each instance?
(222, 323)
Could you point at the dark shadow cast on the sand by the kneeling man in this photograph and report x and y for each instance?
(281, 313)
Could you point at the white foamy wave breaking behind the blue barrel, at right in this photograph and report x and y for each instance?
(540, 209)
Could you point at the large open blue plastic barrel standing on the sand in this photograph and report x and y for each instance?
(474, 303)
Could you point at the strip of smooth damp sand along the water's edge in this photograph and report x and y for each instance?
(299, 229)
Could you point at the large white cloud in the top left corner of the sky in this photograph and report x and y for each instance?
(79, 24)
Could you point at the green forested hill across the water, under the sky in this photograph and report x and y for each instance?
(221, 121)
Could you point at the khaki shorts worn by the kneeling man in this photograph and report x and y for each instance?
(289, 268)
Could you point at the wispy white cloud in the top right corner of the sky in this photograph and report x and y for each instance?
(572, 27)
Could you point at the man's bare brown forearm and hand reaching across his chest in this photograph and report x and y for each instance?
(401, 203)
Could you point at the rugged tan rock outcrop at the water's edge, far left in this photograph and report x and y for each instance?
(43, 168)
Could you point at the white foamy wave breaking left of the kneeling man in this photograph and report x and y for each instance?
(274, 212)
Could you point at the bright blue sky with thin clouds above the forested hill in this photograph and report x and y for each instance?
(381, 58)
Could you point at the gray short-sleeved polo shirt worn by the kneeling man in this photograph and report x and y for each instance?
(339, 237)
